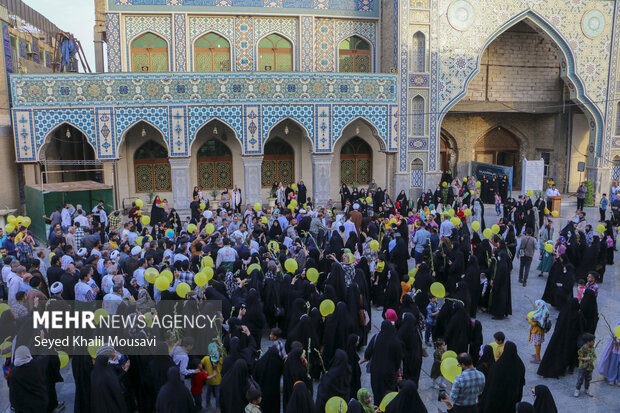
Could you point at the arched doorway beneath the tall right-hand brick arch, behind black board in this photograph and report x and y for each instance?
(499, 146)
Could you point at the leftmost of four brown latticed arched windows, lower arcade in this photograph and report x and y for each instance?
(152, 168)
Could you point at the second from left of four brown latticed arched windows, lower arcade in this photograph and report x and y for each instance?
(214, 165)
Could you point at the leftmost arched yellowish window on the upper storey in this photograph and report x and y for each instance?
(149, 53)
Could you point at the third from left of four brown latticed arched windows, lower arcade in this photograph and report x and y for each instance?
(278, 163)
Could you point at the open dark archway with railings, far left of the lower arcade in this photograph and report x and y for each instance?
(67, 157)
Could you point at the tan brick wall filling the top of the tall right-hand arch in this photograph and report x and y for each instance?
(519, 66)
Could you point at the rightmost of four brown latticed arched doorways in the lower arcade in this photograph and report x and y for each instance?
(356, 162)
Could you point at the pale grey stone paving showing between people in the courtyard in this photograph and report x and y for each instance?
(606, 398)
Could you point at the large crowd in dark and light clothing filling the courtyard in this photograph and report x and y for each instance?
(372, 255)
